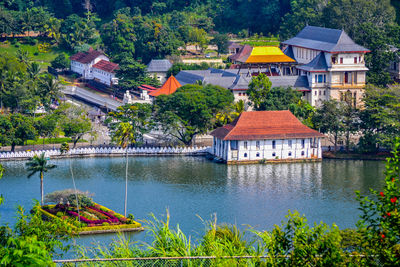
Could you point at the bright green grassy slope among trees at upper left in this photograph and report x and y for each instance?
(43, 59)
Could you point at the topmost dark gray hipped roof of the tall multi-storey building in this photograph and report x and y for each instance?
(325, 39)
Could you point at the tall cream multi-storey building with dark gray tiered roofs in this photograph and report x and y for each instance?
(332, 62)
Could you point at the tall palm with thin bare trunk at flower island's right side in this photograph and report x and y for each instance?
(123, 136)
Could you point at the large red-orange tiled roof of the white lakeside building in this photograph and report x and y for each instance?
(257, 125)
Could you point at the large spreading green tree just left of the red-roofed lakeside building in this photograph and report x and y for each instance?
(191, 110)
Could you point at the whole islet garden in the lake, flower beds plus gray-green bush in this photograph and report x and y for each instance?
(84, 215)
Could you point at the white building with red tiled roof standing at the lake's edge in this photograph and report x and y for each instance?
(266, 136)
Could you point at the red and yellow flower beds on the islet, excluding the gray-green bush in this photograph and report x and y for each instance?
(92, 218)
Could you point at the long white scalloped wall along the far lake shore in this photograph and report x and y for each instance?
(107, 152)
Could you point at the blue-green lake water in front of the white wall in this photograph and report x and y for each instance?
(193, 187)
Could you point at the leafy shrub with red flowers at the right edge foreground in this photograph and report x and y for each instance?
(380, 218)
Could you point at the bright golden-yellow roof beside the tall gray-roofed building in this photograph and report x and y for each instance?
(267, 54)
